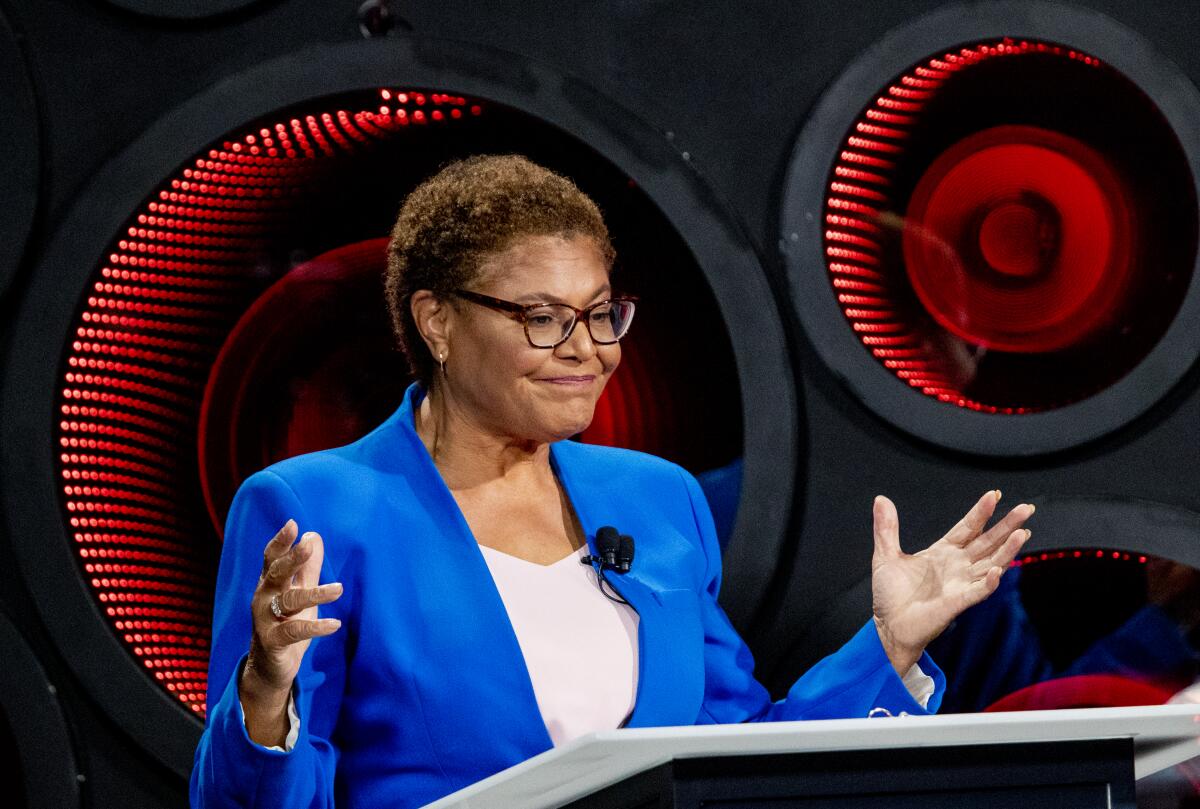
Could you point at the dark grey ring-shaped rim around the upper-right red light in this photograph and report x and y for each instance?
(801, 231)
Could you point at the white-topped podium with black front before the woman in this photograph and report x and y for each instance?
(1063, 759)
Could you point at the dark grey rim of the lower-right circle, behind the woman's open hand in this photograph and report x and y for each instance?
(1064, 523)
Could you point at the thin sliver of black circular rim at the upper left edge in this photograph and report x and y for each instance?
(22, 172)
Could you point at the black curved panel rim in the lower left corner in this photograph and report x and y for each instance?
(37, 721)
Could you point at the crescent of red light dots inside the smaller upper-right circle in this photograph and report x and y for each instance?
(857, 218)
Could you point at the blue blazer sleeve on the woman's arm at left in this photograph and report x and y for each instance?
(231, 770)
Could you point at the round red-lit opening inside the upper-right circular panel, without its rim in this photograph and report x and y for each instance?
(993, 238)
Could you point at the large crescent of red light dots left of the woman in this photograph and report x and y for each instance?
(146, 340)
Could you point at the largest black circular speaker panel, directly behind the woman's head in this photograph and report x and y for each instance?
(262, 196)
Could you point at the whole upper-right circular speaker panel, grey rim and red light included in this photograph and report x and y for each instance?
(991, 227)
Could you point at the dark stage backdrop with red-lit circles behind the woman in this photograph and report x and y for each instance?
(915, 249)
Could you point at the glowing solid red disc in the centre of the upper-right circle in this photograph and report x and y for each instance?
(1039, 235)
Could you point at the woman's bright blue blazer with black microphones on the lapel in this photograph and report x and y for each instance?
(424, 690)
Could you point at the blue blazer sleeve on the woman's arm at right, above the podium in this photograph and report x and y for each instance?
(850, 684)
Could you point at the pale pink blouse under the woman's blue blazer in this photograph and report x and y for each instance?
(579, 646)
